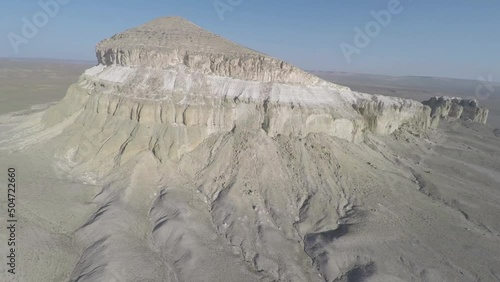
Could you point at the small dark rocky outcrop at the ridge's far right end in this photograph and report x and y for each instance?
(455, 108)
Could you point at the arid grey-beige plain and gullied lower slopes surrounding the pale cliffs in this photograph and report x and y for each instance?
(413, 206)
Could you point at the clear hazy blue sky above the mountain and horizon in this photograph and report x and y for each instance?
(449, 38)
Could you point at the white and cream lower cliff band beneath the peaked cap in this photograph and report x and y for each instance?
(125, 111)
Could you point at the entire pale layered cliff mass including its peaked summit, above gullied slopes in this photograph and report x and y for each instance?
(165, 87)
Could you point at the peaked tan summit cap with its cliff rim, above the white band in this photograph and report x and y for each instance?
(173, 41)
